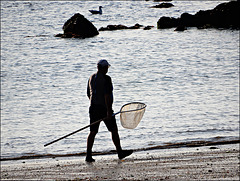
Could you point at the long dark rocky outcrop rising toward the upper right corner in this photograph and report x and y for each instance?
(225, 15)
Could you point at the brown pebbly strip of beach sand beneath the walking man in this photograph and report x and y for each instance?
(202, 163)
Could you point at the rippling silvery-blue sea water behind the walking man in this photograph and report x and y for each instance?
(189, 80)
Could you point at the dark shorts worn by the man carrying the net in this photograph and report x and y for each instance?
(97, 112)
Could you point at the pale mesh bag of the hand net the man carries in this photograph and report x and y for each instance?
(131, 114)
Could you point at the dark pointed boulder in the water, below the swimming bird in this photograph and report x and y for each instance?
(78, 27)
